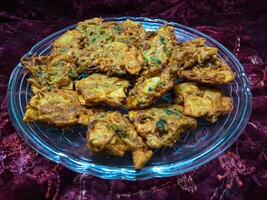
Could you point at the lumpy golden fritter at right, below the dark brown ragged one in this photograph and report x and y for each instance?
(202, 101)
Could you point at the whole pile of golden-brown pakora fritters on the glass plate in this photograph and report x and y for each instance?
(100, 67)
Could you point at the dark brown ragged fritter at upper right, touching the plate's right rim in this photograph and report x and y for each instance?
(200, 63)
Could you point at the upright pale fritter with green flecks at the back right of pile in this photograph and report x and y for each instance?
(158, 48)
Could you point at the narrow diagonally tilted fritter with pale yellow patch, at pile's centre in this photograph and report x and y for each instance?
(149, 89)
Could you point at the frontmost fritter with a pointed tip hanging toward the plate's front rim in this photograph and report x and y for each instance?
(113, 134)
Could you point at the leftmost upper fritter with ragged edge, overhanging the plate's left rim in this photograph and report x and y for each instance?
(50, 72)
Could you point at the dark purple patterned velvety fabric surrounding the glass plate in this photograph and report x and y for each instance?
(240, 173)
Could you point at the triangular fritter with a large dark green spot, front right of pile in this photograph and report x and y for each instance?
(161, 126)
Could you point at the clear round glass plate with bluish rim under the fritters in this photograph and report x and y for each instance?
(195, 149)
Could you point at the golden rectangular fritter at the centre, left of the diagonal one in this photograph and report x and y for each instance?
(101, 89)
